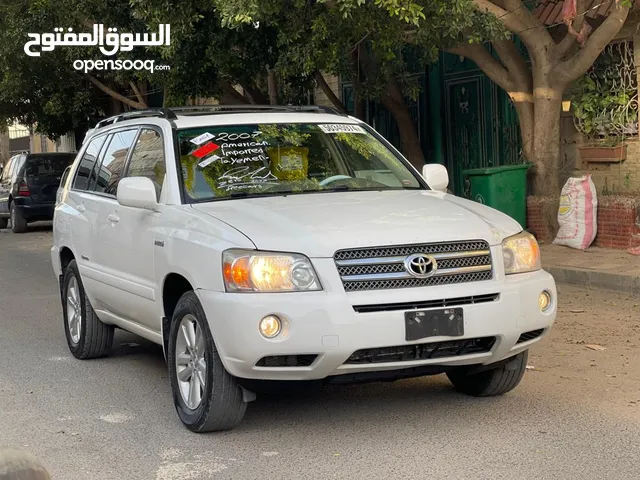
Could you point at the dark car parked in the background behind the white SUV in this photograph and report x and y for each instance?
(28, 188)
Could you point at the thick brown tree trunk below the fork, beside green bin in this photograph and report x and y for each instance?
(546, 141)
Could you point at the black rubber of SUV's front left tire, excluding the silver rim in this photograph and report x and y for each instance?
(222, 405)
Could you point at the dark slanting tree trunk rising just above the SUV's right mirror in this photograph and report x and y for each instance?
(410, 142)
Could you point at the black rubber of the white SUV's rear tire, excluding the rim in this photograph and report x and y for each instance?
(95, 338)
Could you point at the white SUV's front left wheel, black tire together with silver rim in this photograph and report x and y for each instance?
(221, 405)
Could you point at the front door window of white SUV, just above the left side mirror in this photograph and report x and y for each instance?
(147, 159)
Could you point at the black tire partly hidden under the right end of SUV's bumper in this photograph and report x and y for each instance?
(497, 381)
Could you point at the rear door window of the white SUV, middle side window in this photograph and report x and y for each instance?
(113, 162)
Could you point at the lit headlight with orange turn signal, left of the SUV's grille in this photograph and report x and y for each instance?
(255, 271)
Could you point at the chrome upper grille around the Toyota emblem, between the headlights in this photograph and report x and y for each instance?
(377, 268)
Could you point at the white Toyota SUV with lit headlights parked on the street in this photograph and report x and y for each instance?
(288, 244)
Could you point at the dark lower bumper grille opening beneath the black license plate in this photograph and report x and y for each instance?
(423, 351)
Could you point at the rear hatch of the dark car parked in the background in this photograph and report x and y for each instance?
(43, 174)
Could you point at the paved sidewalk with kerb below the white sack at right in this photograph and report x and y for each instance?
(595, 268)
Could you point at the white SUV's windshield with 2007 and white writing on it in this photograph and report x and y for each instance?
(224, 162)
